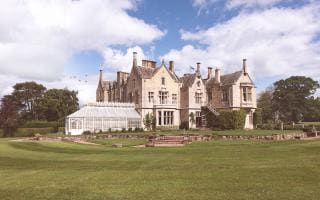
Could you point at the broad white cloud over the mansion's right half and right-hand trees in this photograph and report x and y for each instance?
(276, 42)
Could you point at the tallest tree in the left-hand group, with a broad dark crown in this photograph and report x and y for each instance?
(28, 95)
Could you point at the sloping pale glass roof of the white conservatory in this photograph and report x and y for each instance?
(107, 110)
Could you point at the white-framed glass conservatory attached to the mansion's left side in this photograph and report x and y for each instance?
(103, 116)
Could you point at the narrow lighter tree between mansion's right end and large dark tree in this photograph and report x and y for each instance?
(264, 102)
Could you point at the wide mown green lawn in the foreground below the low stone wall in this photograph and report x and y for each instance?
(212, 170)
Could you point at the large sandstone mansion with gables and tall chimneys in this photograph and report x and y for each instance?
(171, 99)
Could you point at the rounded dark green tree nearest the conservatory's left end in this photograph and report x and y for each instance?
(56, 104)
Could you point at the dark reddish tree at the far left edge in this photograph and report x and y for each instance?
(9, 115)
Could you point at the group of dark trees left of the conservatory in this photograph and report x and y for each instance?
(30, 101)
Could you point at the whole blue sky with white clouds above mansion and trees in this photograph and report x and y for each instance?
(64, 43)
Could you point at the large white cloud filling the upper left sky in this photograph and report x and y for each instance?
(38, 37)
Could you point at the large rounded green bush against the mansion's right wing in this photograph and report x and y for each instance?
(231, 119)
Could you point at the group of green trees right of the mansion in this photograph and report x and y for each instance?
(289, 100)
